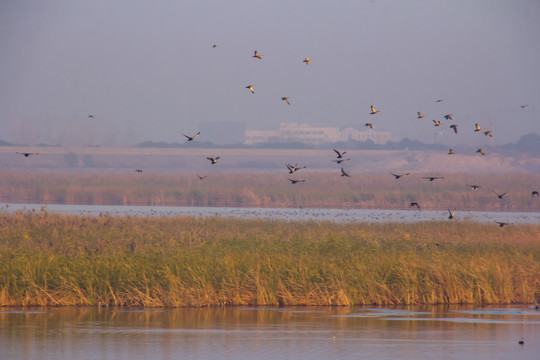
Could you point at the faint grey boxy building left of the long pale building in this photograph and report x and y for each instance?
(223, 132)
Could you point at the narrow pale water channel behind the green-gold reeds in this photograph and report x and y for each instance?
(293, 214)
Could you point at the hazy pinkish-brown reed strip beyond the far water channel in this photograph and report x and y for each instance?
(321, 190)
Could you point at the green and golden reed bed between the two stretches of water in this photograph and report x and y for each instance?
(60, 260)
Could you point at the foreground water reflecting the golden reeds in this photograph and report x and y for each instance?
(458, 332)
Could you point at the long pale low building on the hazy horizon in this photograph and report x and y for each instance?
(303, 133)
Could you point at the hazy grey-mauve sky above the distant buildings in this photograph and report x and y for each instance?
(147, 70)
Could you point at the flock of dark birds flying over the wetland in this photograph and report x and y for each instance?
(293, 169)
